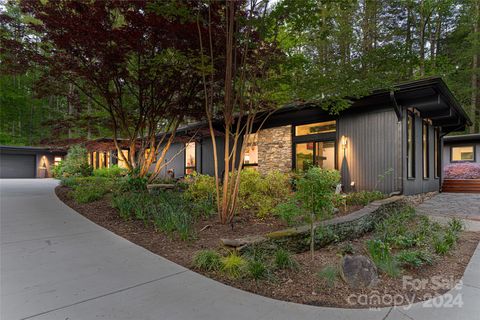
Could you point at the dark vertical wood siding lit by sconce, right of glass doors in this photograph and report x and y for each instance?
(373, 149)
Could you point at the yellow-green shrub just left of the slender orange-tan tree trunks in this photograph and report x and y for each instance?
(200, 189)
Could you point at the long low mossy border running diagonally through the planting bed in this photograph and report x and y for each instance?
(341, 228)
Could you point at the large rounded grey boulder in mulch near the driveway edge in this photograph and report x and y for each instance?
(358, 271)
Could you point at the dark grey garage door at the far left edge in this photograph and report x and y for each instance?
(17, 166)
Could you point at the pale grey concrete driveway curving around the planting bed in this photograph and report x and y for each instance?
(56, 264)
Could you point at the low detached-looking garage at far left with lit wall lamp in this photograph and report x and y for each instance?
(26, 162)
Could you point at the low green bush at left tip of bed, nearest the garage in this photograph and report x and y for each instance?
(89, 189)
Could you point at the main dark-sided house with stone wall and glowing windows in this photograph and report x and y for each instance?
(388, 141)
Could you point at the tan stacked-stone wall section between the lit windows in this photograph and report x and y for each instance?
(275, 149)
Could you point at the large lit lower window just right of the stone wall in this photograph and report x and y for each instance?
(321, 154)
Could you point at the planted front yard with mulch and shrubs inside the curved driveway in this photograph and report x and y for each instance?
(181, 225)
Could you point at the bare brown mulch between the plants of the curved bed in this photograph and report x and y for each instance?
(301, 285)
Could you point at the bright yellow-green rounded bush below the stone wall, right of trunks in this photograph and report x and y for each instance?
(262, 193)
